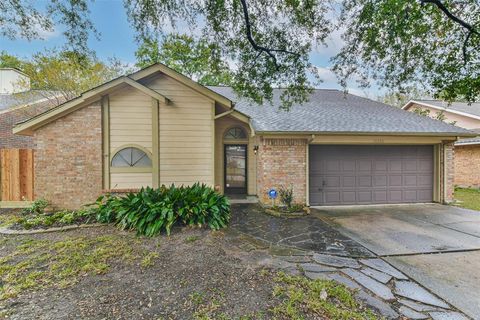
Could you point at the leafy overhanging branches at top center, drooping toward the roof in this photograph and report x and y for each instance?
(288, 30)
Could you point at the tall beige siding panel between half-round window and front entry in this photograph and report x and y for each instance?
(186, 133)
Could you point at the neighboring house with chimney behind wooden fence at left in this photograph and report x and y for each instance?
(18, 103)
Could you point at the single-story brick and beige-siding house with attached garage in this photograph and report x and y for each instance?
(158, 127)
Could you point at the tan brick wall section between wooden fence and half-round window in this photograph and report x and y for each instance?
(68, 159)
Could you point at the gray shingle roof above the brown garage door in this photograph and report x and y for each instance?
(335, 111)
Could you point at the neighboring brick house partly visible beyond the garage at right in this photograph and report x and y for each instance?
(467, 151)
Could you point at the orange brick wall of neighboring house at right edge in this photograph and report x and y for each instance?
(467, 166)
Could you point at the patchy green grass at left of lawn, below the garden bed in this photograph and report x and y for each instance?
(37, 264)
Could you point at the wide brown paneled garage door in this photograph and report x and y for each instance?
(370, 174)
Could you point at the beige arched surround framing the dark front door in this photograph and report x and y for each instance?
(221, 126)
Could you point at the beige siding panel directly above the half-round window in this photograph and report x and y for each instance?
(130, 119)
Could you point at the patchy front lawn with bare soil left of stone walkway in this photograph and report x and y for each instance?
(104, 273)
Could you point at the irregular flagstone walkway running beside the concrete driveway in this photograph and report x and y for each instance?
(310, 247)
